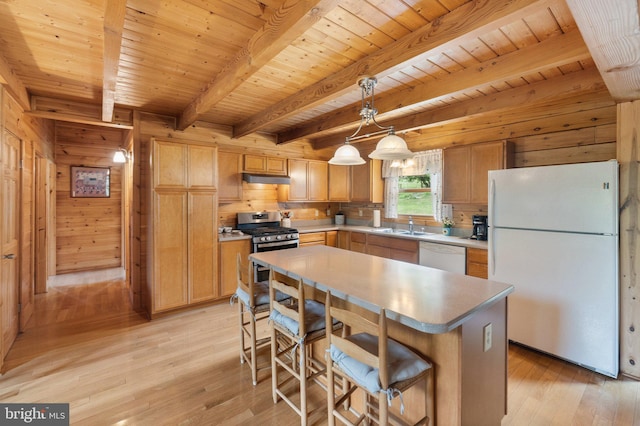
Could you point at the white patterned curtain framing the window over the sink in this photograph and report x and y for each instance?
(425, 162)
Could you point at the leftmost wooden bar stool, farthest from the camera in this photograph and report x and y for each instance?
(253, 307)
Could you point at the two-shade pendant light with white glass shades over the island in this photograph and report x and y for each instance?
(390, 147)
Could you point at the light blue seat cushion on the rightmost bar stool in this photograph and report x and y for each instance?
(403, 363)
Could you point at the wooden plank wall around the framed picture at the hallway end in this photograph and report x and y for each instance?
(88, 229)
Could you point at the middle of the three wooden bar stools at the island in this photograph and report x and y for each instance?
(294, 328)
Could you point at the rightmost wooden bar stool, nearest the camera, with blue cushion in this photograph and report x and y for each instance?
(371, 361)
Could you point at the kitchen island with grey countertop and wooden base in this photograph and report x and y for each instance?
(443, 315)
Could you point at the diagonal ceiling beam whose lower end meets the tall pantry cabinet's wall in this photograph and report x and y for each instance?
(286, 24)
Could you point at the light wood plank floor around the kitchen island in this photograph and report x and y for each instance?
(85, 346)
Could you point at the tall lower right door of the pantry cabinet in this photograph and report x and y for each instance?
(203, 246)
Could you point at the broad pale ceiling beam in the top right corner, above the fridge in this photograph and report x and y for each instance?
(612, 33)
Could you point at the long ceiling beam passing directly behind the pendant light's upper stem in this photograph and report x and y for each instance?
(553, 52)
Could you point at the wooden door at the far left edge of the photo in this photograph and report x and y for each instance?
(9, 283)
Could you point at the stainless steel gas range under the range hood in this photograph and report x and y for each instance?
(266, 235)
